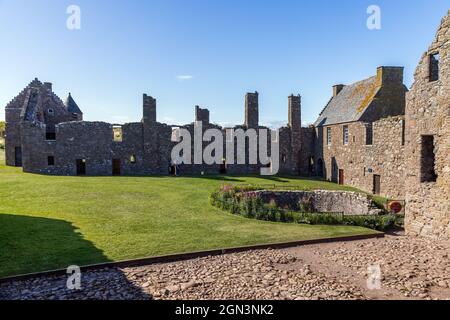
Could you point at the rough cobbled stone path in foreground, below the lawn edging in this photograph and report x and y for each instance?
(411, 268)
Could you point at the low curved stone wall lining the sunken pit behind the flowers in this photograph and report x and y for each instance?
(349, 203)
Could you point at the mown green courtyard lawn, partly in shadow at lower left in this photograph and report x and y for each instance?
(51, 222)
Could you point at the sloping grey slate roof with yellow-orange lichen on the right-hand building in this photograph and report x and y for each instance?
(349, 104)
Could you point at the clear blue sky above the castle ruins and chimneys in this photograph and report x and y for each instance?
(206, 52)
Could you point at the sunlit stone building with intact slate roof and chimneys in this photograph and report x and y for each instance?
(360, 134)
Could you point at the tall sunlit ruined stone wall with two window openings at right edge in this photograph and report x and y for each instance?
(428, 114)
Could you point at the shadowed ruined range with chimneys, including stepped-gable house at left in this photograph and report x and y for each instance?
(45, 135)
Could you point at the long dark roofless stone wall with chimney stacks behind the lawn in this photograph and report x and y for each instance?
(145, 147)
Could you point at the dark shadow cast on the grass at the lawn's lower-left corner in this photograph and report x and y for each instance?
(36, 244)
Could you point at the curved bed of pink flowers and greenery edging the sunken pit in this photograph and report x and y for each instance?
(246, 201)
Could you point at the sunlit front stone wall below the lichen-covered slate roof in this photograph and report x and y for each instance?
(360, 161)
